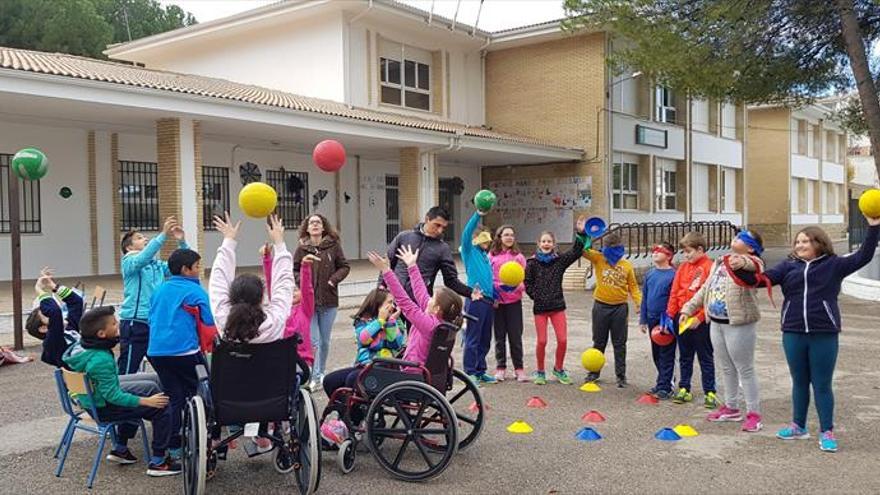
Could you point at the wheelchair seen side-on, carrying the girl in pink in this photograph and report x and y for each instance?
(434, 408)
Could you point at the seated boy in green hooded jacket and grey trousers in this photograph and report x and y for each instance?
(93, 356)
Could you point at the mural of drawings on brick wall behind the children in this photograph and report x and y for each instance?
(539, 204)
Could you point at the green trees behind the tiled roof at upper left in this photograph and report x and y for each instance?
(84, 27)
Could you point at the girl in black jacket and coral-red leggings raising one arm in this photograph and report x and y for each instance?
(543, 283)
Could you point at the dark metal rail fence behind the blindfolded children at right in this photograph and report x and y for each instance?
(640, 238)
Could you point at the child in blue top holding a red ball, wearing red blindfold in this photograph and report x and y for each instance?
(655, 298)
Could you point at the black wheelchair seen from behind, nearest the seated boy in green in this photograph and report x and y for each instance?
(252, 383)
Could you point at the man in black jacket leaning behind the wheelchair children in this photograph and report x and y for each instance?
(434, 254)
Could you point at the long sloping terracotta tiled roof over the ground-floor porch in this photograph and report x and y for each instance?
(64, 65)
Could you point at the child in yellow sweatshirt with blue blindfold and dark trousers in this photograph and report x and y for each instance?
(615, 281)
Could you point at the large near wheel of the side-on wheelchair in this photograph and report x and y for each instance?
(420, 417)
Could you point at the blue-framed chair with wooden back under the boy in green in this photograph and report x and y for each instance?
(69, 384)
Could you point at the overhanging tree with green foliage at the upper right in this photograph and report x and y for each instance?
(750, 51)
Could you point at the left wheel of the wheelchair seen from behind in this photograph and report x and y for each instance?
(195, 447)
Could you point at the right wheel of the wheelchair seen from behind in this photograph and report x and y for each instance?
(306, 453)
